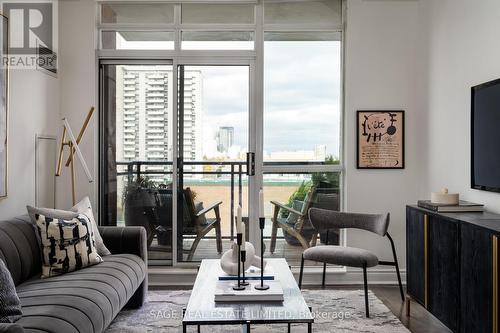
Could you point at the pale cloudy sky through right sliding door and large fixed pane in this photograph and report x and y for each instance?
(301, 97)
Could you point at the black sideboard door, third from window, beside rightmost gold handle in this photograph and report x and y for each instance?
(476, 282)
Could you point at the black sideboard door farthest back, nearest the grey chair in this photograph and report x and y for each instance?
(415, 260)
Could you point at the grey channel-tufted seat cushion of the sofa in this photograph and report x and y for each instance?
(84, 301)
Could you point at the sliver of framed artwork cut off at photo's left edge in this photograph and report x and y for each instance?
(4, 81)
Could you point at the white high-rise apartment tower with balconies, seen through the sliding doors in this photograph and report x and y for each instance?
(144, 117)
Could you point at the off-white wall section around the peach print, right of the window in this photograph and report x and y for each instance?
(381, 73)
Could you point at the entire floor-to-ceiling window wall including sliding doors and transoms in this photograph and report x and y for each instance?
(188, 89)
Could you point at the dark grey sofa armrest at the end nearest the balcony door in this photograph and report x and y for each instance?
(131, 240)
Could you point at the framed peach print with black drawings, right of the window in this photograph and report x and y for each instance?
(380, 139)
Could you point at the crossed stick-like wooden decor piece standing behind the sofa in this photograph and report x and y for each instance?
(73, 143)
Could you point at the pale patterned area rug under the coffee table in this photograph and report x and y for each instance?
(334, 311)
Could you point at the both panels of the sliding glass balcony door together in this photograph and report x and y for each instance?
(183, 160)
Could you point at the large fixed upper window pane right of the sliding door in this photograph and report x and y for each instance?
(302, 80)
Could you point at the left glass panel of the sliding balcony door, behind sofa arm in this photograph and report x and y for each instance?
(137, 118)
